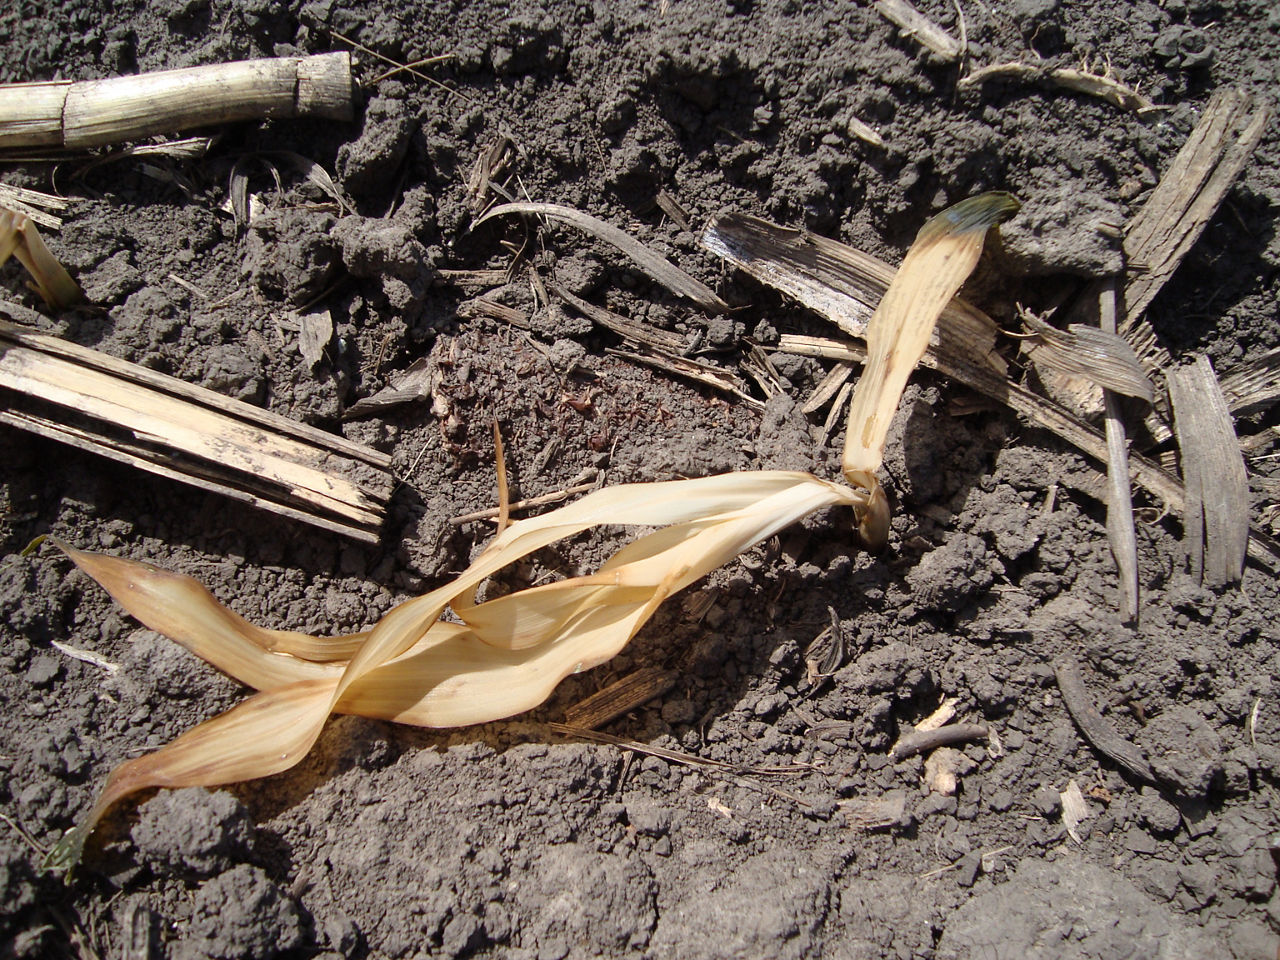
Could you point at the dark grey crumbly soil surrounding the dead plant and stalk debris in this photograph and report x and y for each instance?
(506, 840)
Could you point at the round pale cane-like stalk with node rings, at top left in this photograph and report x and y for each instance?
(95, 113)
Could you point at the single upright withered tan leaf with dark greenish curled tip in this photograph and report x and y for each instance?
(936, 267)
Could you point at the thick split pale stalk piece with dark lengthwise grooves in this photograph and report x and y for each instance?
(156, 423)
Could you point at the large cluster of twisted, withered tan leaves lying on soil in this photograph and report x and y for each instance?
(414, 668)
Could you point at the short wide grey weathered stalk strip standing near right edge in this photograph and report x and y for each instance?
(1217, 513)
